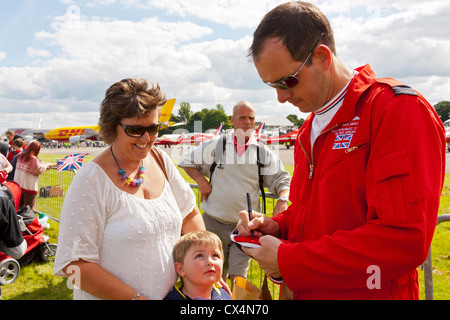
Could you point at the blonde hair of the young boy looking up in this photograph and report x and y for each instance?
(195, 238)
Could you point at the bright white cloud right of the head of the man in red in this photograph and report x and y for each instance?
(404, 39)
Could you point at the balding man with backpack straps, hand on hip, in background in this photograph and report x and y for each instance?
(236, 164)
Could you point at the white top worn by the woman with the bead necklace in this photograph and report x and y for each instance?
(130, 237)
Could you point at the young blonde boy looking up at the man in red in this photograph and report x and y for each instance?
(198, 261)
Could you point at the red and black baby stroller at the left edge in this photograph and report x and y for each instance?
(38, 247)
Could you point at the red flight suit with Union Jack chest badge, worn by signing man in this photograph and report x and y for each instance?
(365, 200)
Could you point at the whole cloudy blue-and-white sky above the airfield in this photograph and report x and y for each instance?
(57, 57)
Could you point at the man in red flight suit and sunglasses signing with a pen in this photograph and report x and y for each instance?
(369, 169)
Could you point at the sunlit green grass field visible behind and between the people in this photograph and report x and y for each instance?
(36, 281)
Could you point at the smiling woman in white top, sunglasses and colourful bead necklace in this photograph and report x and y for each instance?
(123, 214)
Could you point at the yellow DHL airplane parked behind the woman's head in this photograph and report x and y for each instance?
(82, 133)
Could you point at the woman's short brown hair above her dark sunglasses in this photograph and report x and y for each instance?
(127, 98)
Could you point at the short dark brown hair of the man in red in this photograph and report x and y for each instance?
(298, 24)
